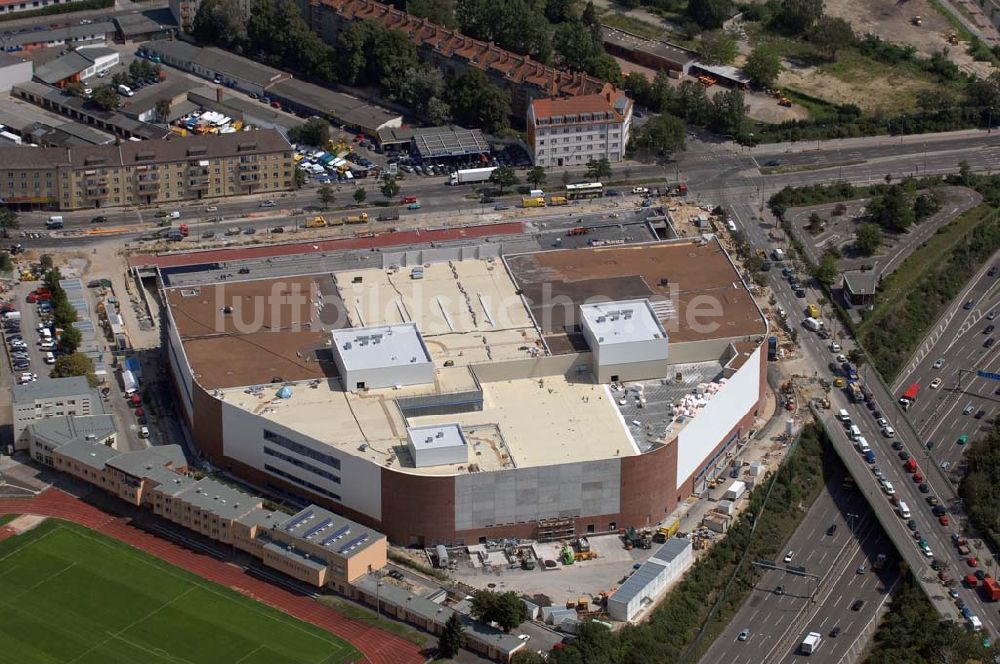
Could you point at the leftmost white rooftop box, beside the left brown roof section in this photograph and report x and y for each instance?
(382, 356)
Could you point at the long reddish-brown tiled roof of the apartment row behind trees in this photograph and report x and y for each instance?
(484, 55)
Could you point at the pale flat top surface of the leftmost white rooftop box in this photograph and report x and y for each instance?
(380, 346)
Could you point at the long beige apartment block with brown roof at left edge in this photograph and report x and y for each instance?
(147, 172)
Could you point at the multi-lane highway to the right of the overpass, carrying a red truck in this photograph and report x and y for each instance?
(958, 340)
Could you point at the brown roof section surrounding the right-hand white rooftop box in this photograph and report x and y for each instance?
(694, 287)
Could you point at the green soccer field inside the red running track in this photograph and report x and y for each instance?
(69, 595)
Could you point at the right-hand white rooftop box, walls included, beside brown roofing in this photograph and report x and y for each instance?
(626, 338)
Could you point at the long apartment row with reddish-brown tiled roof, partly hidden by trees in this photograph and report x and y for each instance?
(524, 78)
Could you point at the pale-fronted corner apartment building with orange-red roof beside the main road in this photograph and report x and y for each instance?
(571, 131)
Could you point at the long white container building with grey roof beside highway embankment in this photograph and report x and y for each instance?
(648, 583)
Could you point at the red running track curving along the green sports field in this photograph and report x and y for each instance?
(378, 647)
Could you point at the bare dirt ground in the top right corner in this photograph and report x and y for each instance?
(893, 21)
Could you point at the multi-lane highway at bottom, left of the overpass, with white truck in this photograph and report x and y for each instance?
(777, 623)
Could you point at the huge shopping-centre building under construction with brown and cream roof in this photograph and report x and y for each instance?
(548, 413)
